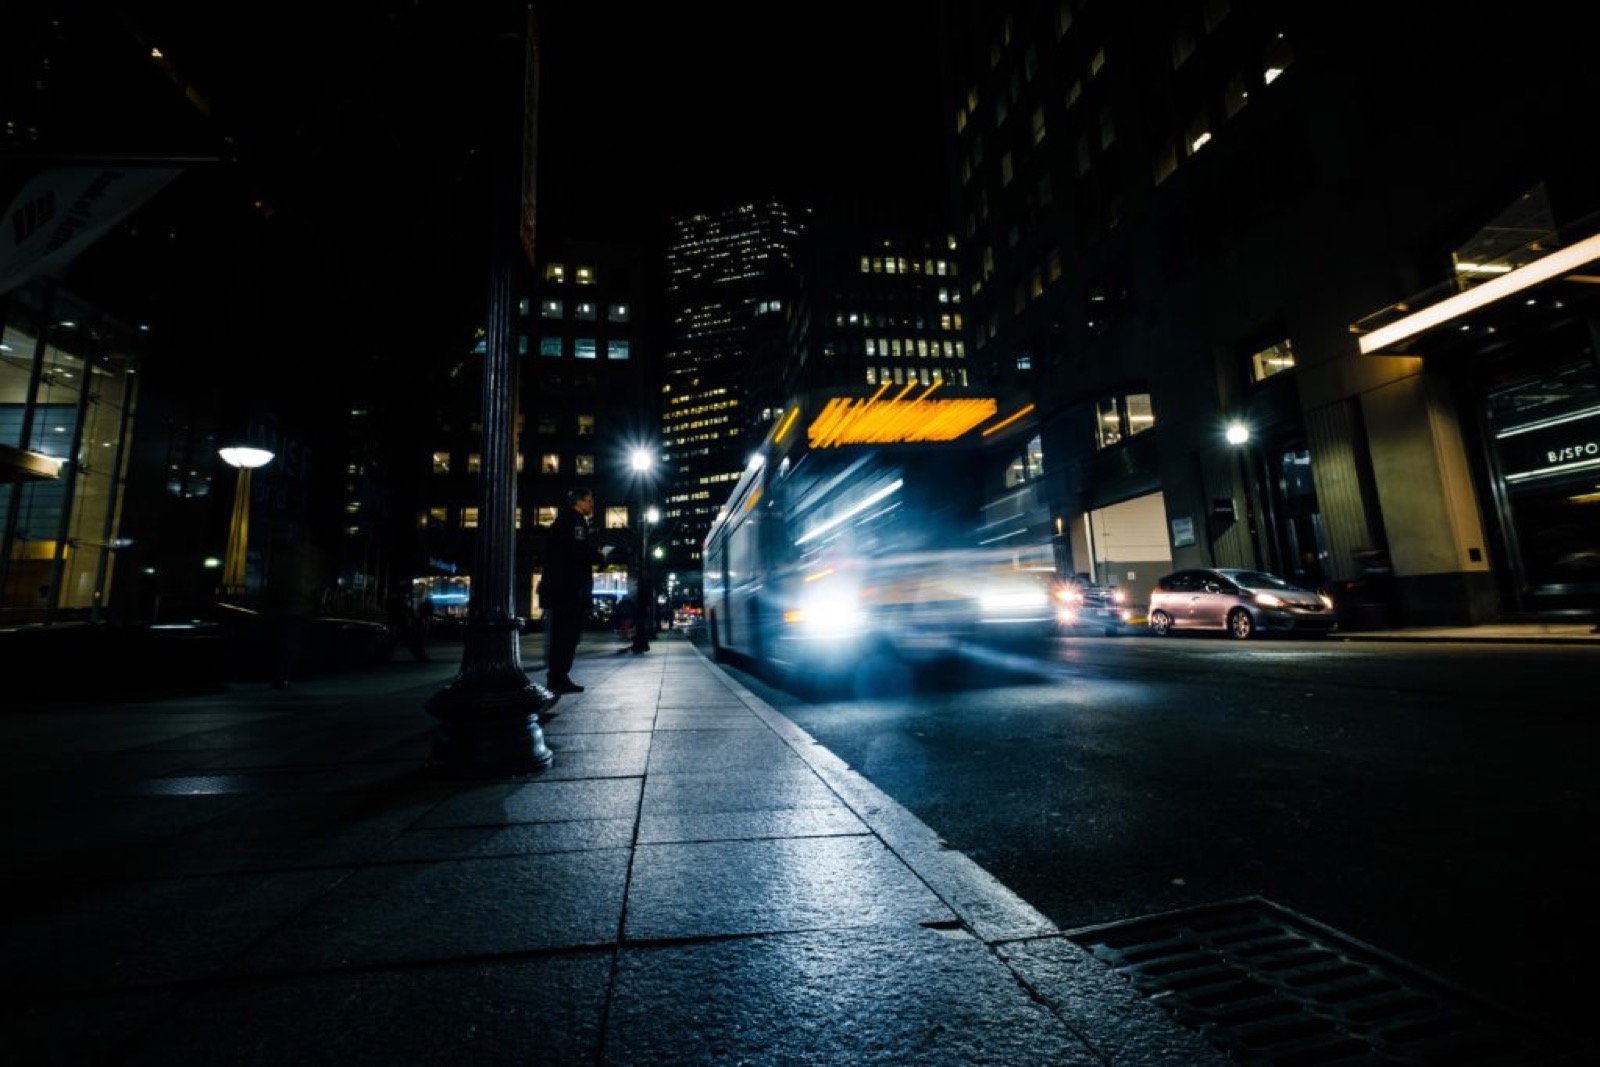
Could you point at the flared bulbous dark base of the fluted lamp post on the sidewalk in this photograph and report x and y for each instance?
(490, 735)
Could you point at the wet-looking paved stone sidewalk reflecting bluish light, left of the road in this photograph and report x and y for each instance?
(273, 877)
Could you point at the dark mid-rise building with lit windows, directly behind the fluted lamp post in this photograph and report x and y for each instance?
(586, 402)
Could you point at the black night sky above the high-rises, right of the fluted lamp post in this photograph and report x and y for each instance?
(687, 108)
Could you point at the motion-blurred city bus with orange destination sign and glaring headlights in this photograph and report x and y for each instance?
(862, 530)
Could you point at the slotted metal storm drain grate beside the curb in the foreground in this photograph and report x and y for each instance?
(1271, 988)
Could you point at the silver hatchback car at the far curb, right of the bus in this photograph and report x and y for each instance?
(1239, 602)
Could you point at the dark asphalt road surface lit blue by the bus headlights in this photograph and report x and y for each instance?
(1438, 802)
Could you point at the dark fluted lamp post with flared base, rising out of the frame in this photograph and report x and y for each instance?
(489, 717)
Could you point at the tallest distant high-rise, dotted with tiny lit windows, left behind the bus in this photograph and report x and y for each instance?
(730, 279)
